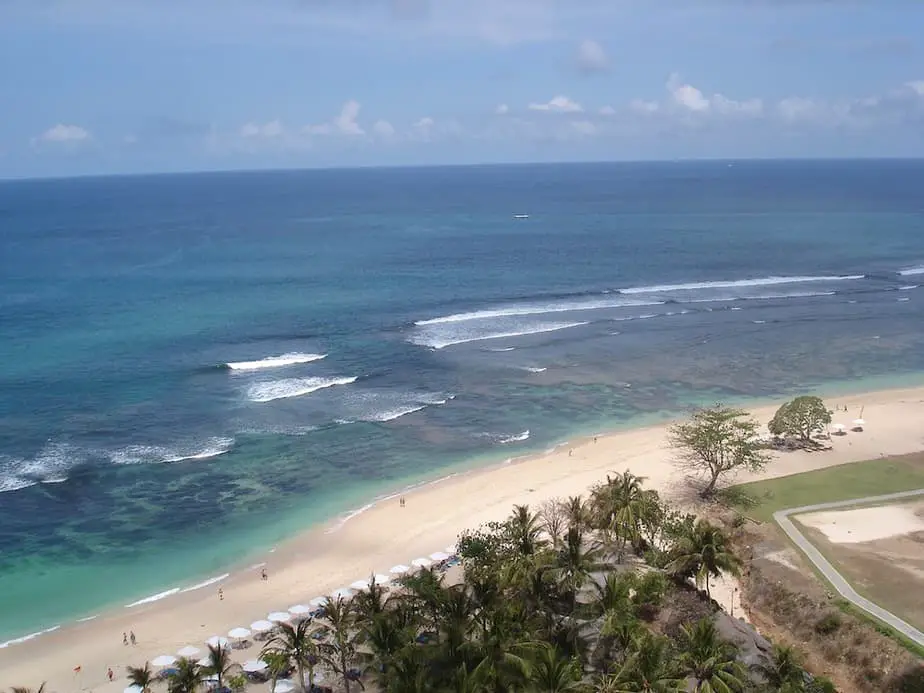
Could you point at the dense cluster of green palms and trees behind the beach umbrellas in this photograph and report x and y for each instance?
(565, 599)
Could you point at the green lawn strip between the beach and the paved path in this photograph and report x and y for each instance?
(760, 499)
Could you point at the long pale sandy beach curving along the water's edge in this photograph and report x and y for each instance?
(335, 555)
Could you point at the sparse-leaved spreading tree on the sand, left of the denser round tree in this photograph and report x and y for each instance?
(716, 441)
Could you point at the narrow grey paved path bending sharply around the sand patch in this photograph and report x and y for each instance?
(832, 575)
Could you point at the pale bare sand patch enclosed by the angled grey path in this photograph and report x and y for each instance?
(864, 524)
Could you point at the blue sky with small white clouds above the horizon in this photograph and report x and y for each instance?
(123, 86)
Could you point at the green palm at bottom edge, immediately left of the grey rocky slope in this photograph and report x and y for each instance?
(710, 661)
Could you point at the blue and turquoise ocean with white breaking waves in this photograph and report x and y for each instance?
(195, 367)
